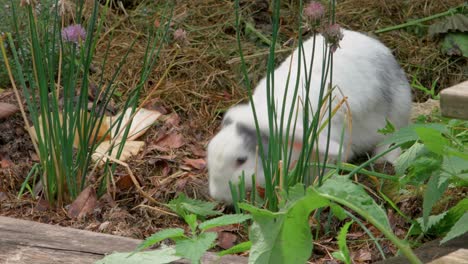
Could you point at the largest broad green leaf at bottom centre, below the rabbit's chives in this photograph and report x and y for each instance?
(283, 237)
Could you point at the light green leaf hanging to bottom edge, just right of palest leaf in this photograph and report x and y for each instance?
(194, 248)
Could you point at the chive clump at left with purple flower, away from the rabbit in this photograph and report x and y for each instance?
(56, 81)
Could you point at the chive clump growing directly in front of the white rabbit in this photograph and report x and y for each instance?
(283, 119)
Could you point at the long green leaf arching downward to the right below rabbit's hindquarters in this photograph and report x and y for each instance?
(345, 192)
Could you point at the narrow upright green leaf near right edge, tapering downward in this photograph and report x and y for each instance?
(435, 188)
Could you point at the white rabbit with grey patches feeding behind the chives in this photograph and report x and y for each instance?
(364, 70)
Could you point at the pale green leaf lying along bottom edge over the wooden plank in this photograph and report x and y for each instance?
(159, 256)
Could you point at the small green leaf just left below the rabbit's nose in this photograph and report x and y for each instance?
(183, 205)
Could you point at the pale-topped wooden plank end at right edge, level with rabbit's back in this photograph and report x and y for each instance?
(454, 101)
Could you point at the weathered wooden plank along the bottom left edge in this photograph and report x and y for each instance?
(28, 242)
